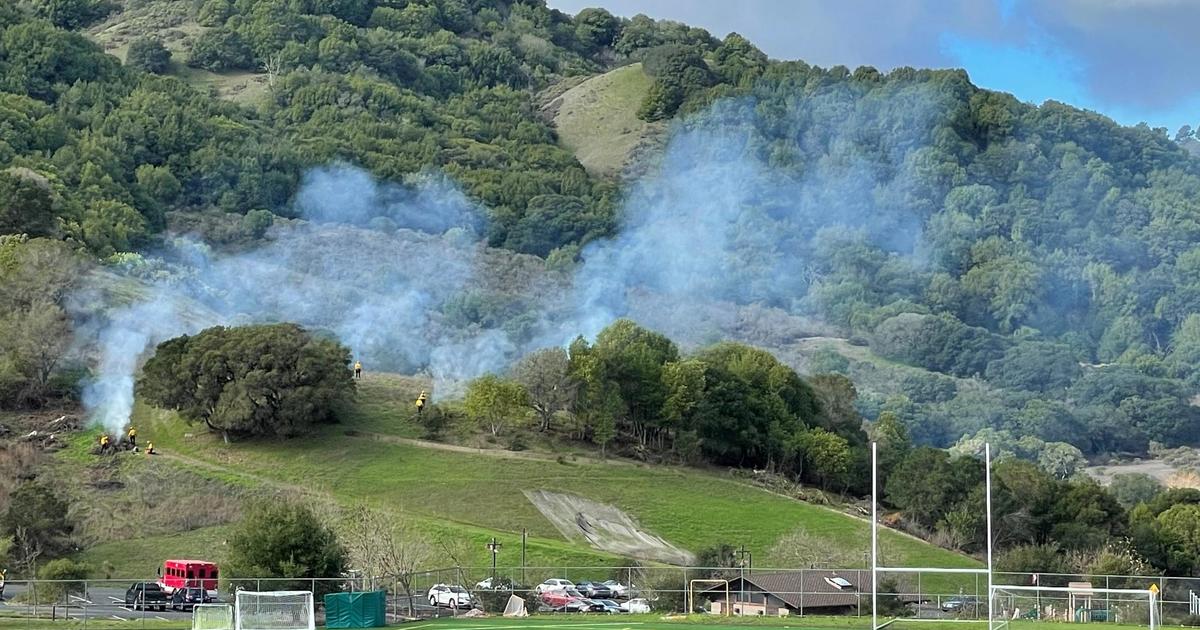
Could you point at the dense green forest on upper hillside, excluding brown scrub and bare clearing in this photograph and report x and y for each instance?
(1043, 250)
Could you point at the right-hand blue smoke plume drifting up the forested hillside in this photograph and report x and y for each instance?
(719, 223)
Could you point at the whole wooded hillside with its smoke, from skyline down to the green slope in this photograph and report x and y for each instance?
(983, 269)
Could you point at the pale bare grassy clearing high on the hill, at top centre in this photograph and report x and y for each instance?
(597, 119)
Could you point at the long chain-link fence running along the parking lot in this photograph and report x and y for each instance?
(663, 590)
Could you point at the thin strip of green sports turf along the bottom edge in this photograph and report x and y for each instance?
(640, 622)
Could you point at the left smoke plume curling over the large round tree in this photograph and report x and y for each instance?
(374, 266)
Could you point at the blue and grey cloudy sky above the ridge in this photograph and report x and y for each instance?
(1133, 61)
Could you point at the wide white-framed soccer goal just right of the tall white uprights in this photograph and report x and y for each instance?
(1078, 603)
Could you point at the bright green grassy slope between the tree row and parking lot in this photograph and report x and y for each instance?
(477, 495)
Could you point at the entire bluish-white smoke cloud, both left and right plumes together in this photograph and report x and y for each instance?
(400, 275)
